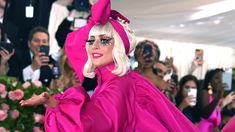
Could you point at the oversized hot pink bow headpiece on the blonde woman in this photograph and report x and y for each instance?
(76, 41)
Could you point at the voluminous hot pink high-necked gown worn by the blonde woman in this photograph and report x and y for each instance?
(119, 104)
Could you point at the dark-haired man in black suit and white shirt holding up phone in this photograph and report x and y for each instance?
(40, 64)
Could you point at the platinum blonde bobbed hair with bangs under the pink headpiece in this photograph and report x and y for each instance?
(122, 64)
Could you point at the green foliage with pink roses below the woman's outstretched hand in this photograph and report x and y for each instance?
(13, 117)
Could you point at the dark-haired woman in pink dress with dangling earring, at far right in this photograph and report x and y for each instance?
(210, 100)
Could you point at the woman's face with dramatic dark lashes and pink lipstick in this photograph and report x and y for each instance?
(100, 49)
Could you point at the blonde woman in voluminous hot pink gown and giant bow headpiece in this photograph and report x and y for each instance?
(123, 101)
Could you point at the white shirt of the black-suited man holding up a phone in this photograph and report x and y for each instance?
(29, 74)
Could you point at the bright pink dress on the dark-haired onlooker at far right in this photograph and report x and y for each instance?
(207, 125)
